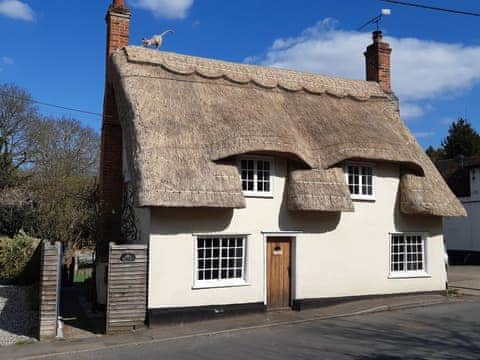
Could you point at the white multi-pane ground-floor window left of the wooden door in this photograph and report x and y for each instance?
(220, 259)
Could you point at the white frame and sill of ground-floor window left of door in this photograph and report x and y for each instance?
(205, 284)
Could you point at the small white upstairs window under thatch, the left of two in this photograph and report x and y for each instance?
(256, 175)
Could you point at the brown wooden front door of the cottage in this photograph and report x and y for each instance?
(278, 272)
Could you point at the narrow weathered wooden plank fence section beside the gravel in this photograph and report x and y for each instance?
(49, 292)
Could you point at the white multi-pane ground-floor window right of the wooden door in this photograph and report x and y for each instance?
(407, 253)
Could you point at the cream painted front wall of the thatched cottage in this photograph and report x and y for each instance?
(335, 254)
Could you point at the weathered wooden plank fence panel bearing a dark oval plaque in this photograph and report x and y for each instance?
(126, 287)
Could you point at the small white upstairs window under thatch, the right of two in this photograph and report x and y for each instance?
(360, 180)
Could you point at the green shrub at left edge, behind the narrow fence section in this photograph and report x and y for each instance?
(15, 255)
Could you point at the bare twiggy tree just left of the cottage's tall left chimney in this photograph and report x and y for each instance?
(64, 166)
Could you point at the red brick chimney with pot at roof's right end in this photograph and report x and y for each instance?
(377, 59)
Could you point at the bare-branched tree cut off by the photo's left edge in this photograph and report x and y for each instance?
(16, 115)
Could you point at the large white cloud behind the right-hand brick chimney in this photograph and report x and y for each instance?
(421, 69)
